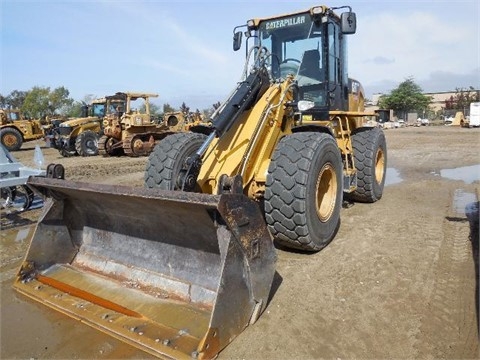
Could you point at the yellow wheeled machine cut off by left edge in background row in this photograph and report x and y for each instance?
(15, 129)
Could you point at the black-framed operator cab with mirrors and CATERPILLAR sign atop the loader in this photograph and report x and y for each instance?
(311, 47)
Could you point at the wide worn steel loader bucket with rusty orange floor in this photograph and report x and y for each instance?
(176, 274)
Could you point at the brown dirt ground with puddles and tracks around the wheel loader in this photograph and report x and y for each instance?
(399, 281)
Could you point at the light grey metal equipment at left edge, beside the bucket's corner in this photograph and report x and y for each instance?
(15, 194)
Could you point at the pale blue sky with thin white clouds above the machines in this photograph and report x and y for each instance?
(182, 50)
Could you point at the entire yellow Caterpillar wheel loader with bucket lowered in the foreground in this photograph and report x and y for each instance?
(181, 267)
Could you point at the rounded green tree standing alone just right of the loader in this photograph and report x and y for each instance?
(407, 97)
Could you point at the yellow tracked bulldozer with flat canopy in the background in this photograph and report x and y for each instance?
(131, 131)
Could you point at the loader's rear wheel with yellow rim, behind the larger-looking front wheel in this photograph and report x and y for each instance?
(370, 155)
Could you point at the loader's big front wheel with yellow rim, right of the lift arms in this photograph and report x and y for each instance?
(303, 193)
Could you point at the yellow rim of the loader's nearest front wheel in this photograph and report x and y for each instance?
(326, 194)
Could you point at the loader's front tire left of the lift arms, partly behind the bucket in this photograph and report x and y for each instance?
(166, 161)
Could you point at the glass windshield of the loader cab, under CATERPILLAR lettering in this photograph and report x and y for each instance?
(296, 47)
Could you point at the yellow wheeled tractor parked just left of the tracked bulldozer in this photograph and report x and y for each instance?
(79, 136)
